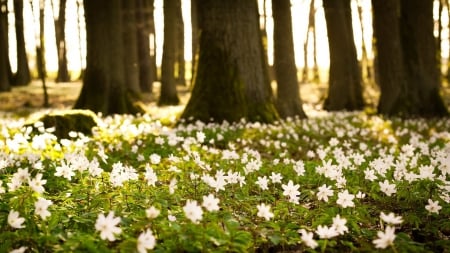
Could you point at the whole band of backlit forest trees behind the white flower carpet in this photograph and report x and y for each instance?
(393, 57)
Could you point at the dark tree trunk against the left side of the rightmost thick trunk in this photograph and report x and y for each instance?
(391, 73)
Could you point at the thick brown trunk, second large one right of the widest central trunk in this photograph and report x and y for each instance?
(345, 90)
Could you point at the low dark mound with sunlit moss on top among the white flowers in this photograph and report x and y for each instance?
(66, 121)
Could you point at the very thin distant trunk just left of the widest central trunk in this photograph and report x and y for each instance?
(180, 62)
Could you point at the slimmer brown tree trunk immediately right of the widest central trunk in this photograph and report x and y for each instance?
(288, 94)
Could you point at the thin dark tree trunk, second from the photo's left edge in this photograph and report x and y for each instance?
(22, 75)
